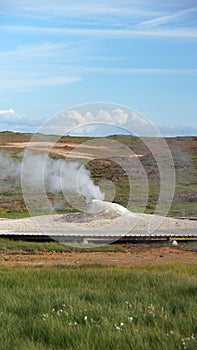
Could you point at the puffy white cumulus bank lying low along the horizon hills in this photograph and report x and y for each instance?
(101, 123)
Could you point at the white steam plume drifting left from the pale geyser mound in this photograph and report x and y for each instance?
(42, 173)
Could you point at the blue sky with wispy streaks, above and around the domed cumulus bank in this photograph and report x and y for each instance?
(55, 55)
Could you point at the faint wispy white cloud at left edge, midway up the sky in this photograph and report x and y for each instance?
(35, 65)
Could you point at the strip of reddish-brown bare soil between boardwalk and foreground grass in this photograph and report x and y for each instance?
(134, 255)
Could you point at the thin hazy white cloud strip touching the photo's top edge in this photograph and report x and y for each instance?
(66, 8)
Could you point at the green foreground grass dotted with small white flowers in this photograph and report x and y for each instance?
(93, 307)
